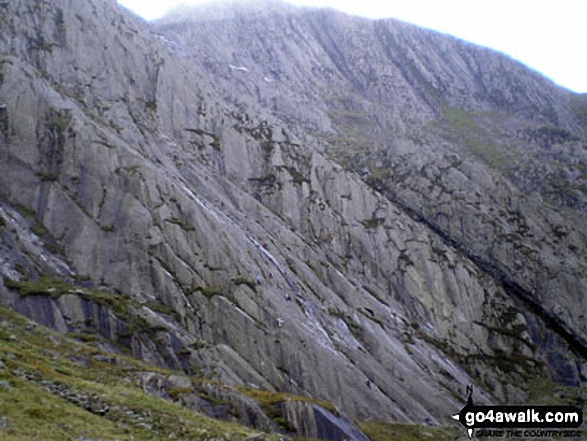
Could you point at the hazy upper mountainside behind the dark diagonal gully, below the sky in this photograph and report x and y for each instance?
(436, 127)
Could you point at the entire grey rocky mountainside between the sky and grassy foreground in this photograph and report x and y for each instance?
(358, 211)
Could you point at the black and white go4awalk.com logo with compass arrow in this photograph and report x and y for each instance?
(520, 421)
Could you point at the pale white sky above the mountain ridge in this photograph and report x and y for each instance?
(550, 36)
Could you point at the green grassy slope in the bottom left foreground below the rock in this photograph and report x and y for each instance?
(34, 358)
